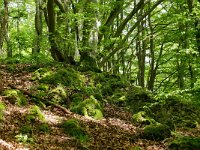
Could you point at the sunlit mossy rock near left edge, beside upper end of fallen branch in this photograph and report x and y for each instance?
(15, 97)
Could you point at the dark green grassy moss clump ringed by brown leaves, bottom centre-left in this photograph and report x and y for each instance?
(73, 128)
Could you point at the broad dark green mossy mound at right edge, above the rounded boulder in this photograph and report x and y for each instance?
(175, 112)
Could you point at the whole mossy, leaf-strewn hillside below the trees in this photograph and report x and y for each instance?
(60, 107)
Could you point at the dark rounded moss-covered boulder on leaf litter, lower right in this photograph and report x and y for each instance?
(156, 132)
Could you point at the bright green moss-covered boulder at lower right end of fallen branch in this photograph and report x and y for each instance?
(90, 108)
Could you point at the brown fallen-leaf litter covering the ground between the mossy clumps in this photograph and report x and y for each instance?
(115, 131)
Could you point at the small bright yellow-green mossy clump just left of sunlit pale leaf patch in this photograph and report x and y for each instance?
(35, 113)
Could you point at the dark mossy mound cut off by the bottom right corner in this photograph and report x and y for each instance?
(185, 143)
